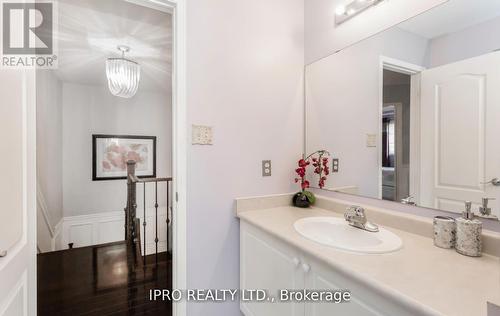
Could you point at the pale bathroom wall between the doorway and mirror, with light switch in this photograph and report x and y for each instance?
(245, 67)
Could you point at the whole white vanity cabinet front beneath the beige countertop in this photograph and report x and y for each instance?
(268, 263)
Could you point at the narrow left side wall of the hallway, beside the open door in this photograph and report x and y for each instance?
(49, 145)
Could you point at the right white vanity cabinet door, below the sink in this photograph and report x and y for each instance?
(364, 301)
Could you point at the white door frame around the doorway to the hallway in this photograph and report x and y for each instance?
(179, 151)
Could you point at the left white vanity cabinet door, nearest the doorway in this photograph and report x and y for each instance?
(271, 265)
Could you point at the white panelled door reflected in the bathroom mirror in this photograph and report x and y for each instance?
(460, 147)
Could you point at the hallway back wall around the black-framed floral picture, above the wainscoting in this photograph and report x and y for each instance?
(91, 110)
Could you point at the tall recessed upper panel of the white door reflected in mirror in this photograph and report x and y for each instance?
(460, 114)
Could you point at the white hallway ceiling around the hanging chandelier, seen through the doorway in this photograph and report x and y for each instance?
(90, 30)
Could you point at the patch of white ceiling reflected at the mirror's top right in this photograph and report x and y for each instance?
(451, 17)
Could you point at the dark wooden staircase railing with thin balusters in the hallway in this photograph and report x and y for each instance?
(132, 222)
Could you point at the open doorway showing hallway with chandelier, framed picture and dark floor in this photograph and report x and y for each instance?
(105, 162)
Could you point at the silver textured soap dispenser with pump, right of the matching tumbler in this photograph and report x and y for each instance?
(469, 229)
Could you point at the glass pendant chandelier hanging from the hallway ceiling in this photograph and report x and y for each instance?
(123, 75)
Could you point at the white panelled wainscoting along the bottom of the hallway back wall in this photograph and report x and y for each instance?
(106, 227)
